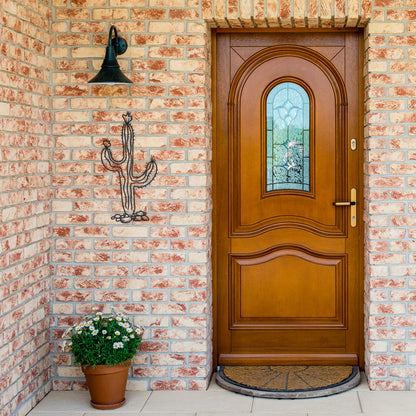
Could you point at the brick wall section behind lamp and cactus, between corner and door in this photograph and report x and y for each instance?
(156, 271)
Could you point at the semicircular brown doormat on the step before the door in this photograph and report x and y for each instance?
(288, 381)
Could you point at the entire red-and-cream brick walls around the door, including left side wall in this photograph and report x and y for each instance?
(159, 271)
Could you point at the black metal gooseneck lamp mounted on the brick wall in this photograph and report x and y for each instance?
(110, 72)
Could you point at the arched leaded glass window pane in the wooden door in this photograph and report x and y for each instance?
(288, 114)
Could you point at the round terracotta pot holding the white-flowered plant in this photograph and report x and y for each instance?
(107, 384)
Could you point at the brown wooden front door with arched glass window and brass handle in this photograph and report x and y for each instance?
(288, 201)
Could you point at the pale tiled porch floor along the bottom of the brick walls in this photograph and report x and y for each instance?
(218, 402)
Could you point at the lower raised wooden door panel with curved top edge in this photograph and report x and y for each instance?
(273, 299)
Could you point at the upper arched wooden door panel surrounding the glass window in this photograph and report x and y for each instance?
(252, 211)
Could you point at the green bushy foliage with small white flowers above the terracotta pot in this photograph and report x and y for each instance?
(103, 339)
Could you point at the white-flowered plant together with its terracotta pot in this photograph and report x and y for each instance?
(104, 346)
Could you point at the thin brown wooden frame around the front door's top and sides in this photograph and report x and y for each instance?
(360, 149)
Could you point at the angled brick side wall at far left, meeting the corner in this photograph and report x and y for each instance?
(25, 230)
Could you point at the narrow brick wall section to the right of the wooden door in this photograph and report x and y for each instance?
(390, 195)
